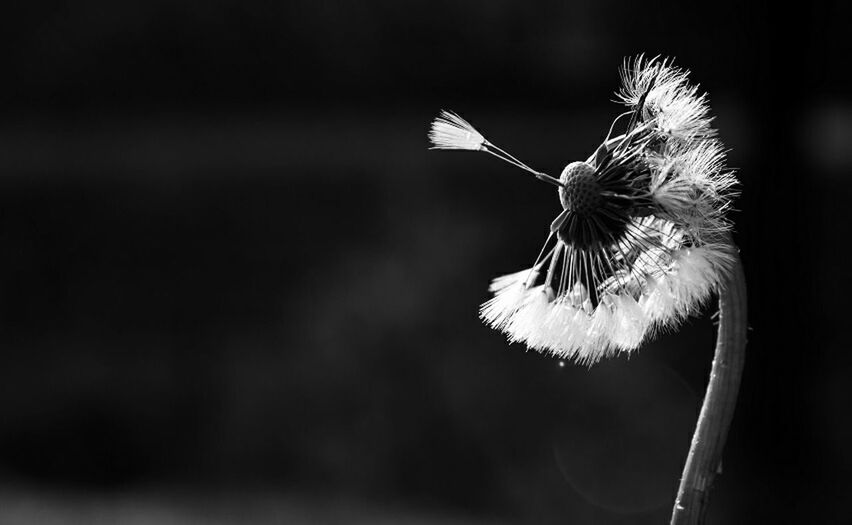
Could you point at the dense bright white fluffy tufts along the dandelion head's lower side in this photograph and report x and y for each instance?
(668, 281)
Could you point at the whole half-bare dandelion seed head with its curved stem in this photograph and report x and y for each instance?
(641, 243)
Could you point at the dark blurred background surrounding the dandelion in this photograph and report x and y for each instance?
(236, 287)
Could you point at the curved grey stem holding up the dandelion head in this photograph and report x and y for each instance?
(705, 453)
